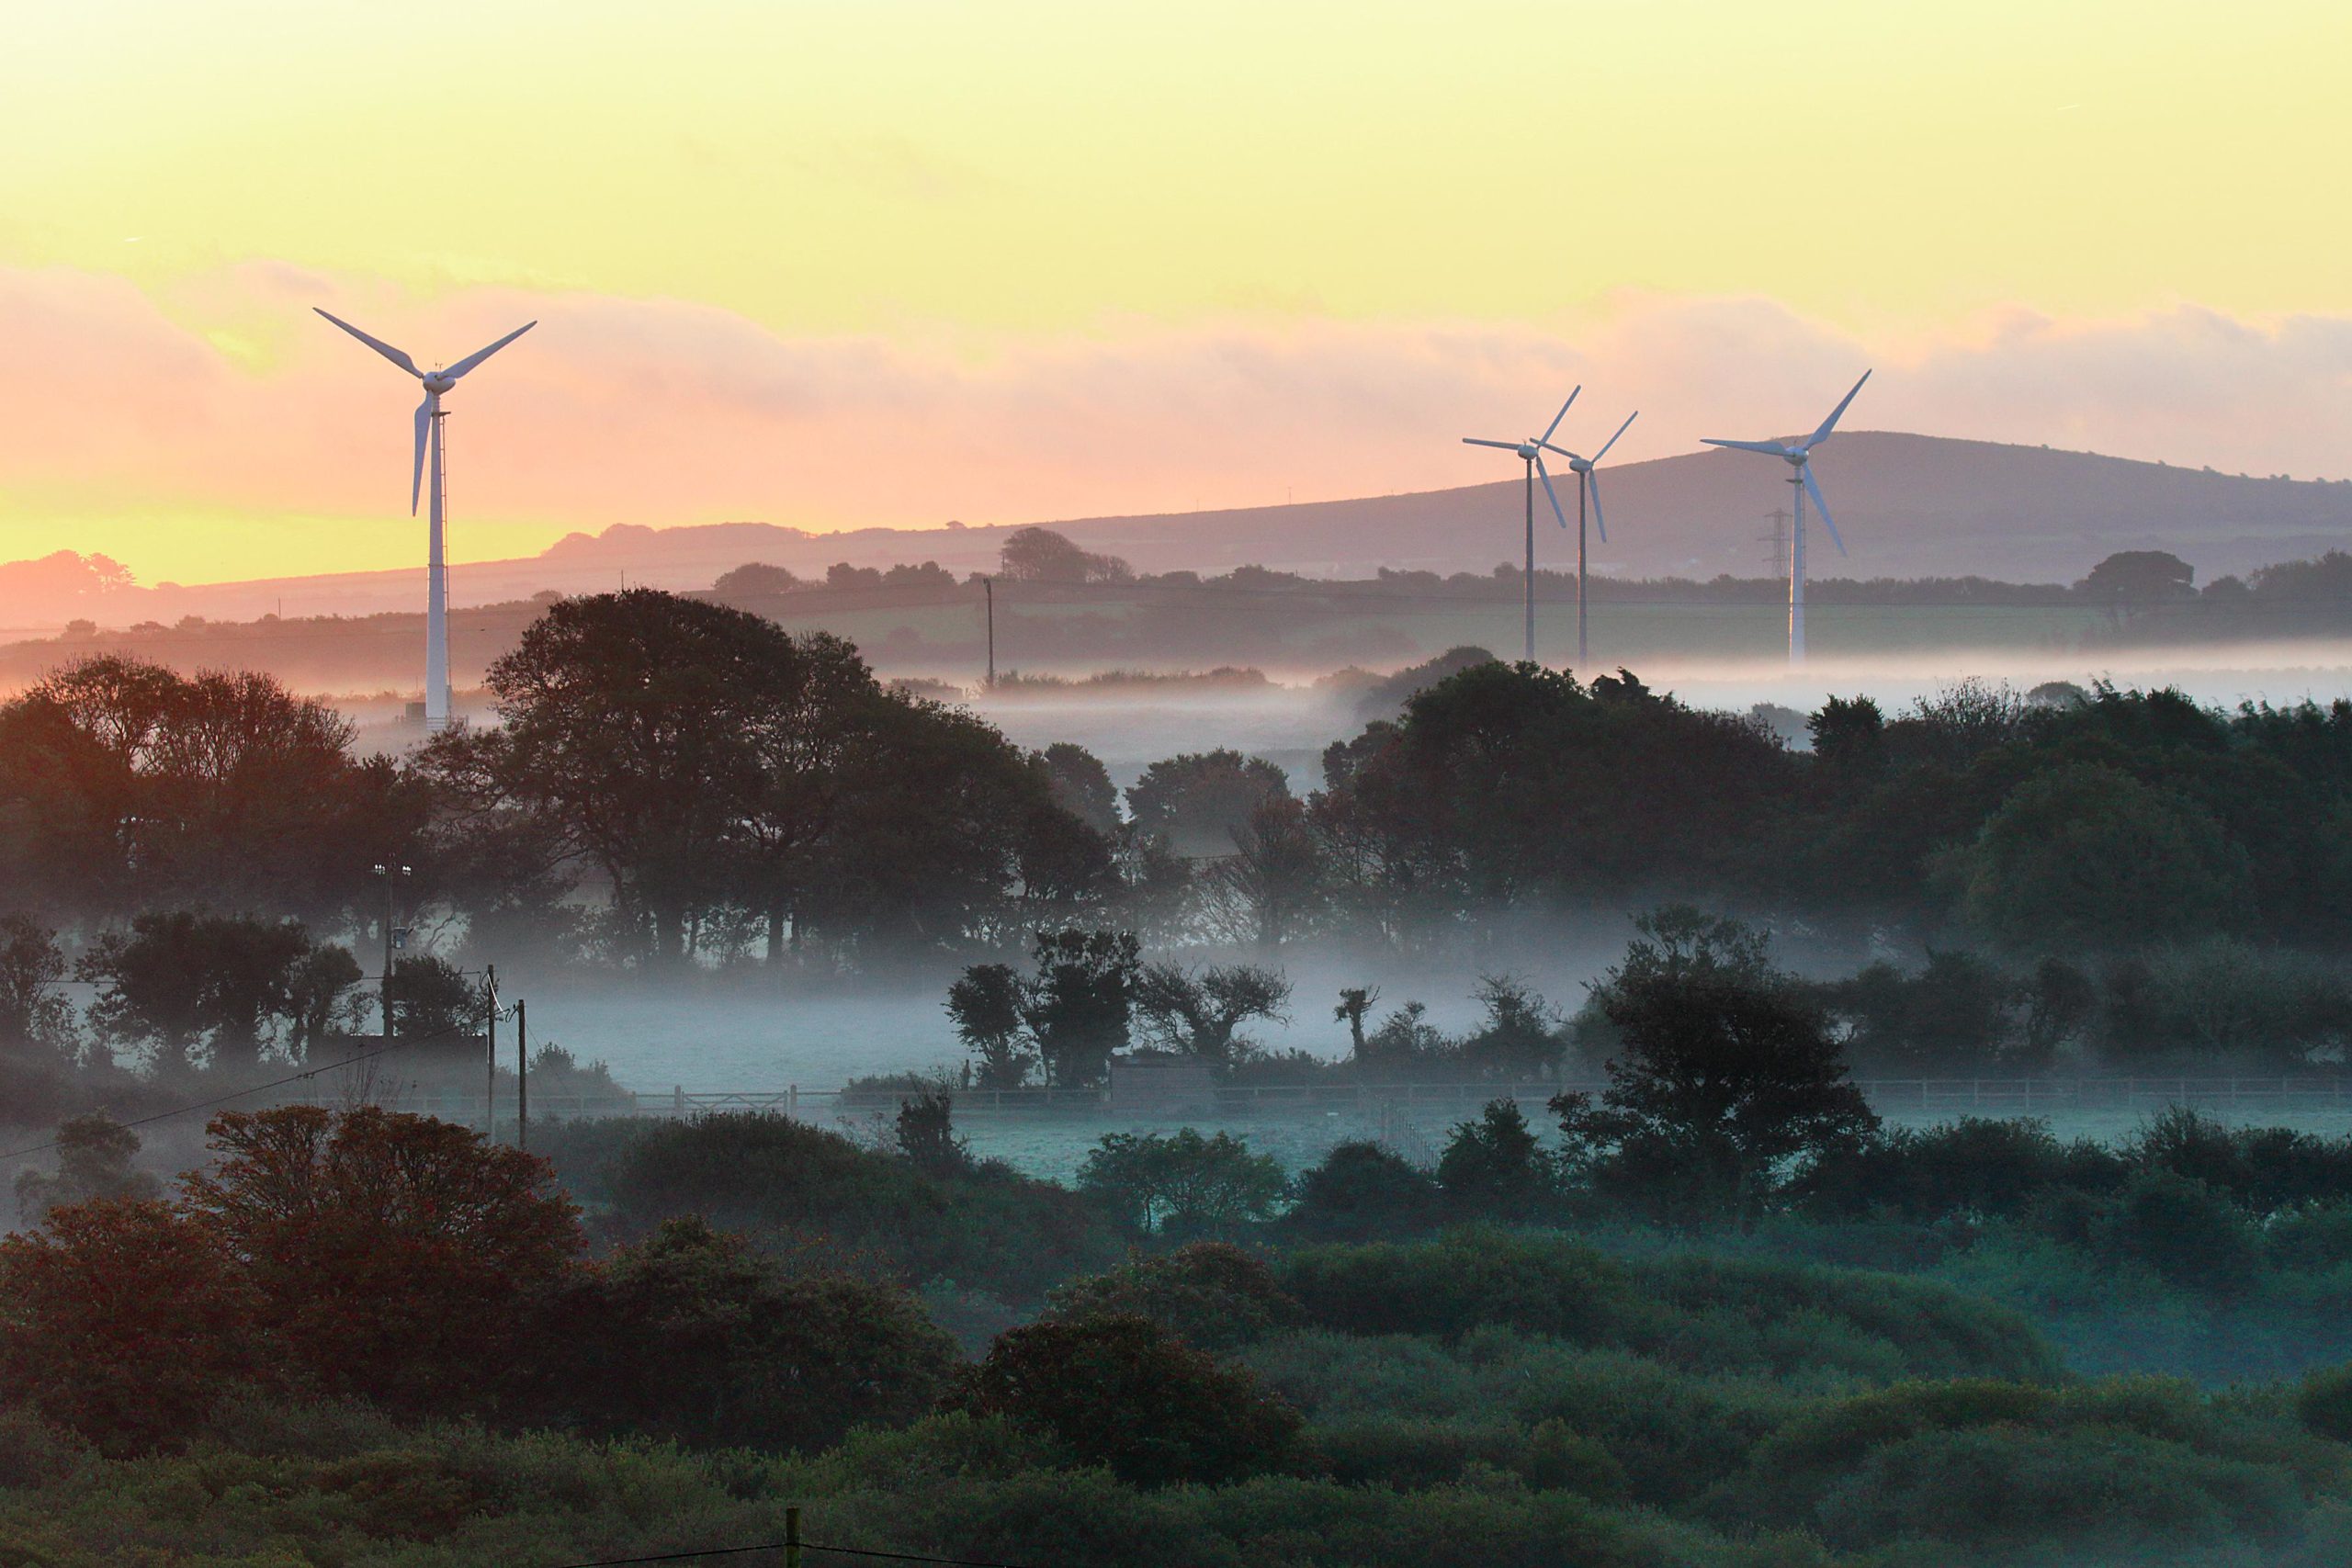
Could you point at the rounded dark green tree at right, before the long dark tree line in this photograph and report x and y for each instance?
(2090, 857)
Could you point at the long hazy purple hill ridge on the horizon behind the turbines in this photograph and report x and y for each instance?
(1909, 507)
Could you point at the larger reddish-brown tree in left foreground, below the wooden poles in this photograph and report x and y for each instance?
(394, 1259)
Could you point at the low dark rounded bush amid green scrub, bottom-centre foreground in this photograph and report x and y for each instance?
(1118, 1391)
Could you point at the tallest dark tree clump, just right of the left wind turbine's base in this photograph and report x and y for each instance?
(719, 775)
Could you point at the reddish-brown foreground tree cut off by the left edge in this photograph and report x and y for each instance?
(126, 1322)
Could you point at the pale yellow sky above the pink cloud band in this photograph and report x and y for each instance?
(1036, 173)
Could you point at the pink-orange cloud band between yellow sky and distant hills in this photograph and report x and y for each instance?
(229, 398)
